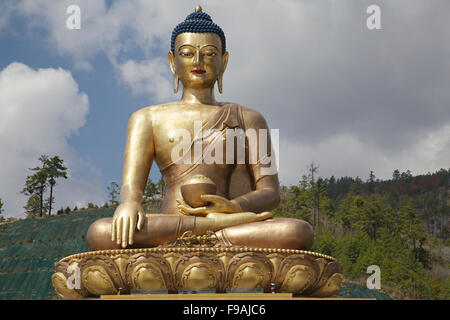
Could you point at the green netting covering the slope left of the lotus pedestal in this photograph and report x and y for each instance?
(30, 247)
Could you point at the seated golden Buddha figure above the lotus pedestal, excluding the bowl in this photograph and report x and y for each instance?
(239, 212)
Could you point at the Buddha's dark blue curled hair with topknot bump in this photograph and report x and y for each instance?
(197, 22)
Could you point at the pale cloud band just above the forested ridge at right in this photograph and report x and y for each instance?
(349, 156)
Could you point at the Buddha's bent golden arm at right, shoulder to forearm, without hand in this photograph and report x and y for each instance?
(262, 166)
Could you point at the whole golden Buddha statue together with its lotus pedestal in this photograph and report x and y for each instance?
(215, 229)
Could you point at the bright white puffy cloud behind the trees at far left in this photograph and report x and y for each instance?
(39, 110)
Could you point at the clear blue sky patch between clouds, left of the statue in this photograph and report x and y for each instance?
(102, 139)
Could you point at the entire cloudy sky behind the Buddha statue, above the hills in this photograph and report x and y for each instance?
(346, 97)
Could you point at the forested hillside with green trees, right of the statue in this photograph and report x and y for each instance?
(399, 225)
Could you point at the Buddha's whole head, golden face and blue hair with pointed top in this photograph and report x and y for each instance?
(198, 55)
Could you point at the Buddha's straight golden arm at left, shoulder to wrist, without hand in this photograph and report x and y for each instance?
(138, 156)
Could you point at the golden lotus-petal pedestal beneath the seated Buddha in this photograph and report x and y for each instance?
(106, 272)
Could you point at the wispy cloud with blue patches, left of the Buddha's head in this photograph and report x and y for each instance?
(113, 31)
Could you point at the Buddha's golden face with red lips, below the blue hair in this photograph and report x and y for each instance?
(198, 60)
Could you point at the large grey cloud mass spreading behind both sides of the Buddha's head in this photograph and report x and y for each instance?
(351, 99)
